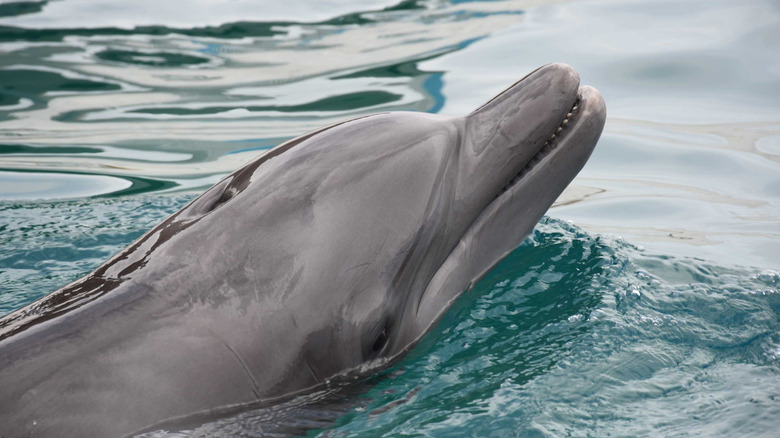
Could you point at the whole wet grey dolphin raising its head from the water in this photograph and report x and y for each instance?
(334, 253)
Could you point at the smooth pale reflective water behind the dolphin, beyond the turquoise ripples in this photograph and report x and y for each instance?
(688, 161)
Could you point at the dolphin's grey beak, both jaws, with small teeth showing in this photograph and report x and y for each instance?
(518, 152)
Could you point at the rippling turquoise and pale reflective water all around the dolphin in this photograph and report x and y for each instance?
(647, 303)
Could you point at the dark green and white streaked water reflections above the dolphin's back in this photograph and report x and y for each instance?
(153, 91)
